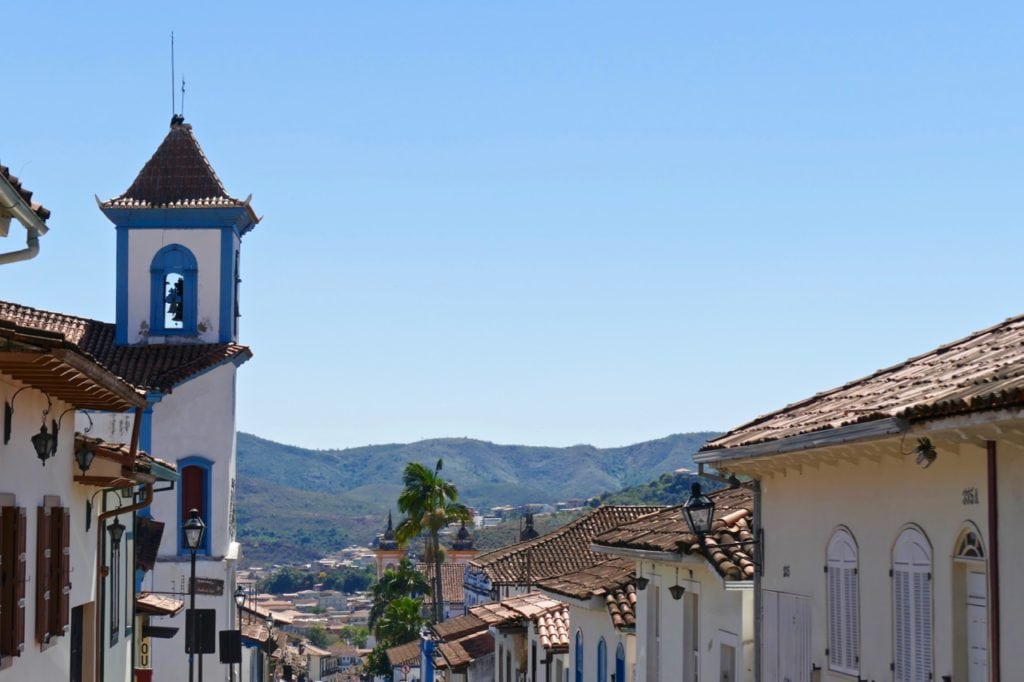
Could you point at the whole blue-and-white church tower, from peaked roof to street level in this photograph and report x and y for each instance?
(179, 240)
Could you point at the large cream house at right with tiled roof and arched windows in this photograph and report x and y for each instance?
(891, 505)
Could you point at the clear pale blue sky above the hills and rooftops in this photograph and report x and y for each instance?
(546, 223)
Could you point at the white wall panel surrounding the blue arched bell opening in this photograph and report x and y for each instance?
(143, 246)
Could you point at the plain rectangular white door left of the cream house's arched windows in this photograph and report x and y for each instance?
(787, 637)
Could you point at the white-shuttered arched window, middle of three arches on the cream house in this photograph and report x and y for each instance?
(913, 619)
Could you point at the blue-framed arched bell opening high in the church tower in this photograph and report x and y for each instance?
(174, 277)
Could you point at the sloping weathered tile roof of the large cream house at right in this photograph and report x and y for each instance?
(984, 371)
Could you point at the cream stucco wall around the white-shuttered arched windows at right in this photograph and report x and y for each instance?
(876, 495)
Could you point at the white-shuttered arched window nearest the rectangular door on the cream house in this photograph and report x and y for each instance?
(844, 604)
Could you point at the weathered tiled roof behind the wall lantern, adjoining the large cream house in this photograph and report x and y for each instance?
(667, 531)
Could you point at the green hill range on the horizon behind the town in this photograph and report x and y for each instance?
(296, 504)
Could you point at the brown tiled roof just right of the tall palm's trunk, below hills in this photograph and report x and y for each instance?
(559, 552)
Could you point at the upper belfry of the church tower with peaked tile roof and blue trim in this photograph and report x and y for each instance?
(180, 237)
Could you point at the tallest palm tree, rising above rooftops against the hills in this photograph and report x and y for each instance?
(431, 503)
